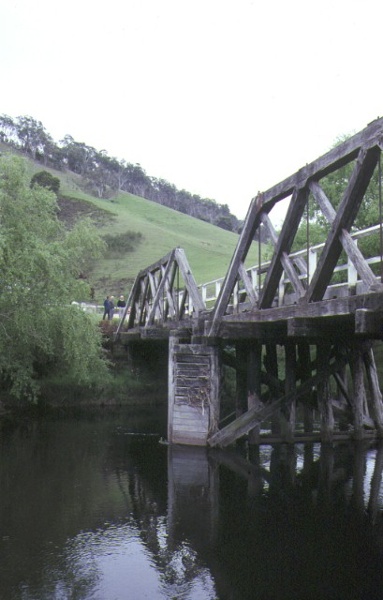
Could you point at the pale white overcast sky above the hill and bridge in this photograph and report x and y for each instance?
(222, 98)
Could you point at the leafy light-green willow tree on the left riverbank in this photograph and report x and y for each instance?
(40, 267)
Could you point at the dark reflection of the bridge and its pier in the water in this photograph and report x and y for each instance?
(285, 522)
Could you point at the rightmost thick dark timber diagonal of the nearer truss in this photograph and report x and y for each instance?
(345, 217)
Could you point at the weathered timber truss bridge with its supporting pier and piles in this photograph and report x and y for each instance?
(300, 333)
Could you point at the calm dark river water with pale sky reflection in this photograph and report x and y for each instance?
(98, 509)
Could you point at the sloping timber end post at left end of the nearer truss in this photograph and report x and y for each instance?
(252, 222)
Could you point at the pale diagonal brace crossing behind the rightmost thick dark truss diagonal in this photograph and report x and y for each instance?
(348, 244)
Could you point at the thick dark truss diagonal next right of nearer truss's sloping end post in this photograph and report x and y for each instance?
(283, 246)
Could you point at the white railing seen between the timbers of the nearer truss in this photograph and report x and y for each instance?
(307, 259)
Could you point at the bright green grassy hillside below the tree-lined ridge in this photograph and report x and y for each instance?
(209, 249)
